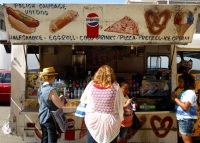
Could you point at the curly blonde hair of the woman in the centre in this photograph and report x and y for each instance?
(105, 77)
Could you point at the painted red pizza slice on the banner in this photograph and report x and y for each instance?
(126, 25)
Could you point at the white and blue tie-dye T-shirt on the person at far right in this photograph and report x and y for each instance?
(191, 113)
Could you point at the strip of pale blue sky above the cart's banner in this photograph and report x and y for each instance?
(65, 1)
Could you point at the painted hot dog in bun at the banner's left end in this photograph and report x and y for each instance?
(21, 22)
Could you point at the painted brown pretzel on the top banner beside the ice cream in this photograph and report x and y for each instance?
(156, 23)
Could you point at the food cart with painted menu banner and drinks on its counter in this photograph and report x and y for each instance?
(77, 38)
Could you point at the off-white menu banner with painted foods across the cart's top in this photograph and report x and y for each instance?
(100, 24)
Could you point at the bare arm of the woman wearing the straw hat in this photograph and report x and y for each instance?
(58, 101)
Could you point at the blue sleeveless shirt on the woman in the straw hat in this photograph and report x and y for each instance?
(45, 105)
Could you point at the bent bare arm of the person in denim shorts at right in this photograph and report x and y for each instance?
(185, 105)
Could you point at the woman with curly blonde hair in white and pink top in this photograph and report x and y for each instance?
(104, 111)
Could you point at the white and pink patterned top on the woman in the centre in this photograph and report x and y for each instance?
(104, 111)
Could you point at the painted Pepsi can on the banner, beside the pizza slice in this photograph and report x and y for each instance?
(92, 24)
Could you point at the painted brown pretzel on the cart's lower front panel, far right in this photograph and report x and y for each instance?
(162, 125)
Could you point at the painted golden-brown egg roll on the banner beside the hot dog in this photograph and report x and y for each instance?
(62, 20)
